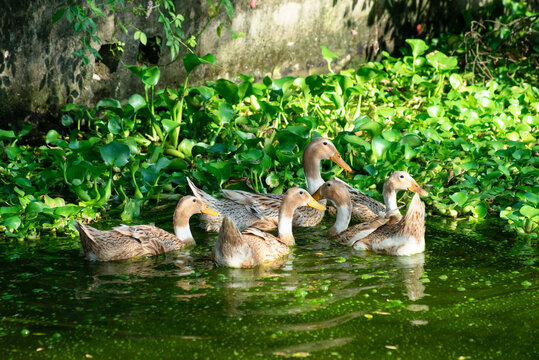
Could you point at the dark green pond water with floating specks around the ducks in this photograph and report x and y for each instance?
(472, 295)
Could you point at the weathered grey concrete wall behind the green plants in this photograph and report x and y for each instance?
(39, 74)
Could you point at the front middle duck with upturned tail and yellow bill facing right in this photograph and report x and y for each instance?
(254, 247)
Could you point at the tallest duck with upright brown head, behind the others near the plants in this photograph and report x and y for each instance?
(267, 205)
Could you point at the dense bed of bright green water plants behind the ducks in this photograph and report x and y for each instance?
(473, 143)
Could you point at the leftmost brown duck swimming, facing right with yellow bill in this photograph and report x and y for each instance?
(123, 242)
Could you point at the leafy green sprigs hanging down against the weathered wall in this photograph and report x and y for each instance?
(84, 14)
